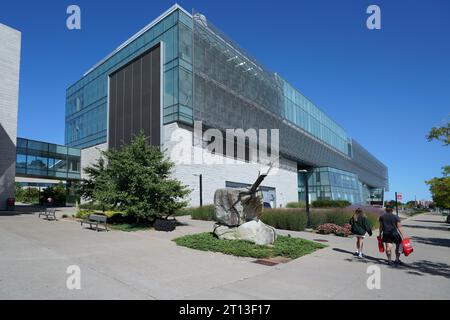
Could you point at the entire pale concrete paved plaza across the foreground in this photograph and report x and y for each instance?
(34, 256)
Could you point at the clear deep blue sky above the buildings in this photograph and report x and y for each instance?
(386, 87)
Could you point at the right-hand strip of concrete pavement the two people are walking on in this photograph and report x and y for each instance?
(334, 273)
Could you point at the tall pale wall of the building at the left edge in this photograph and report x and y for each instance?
(10, 41)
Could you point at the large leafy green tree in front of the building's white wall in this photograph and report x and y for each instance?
(136, 179)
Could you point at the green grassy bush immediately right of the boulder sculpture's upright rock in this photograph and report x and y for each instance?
(286, 219)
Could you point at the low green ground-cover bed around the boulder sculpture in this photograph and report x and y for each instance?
(284, 246)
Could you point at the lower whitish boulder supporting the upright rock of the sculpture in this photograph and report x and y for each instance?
(254, 231)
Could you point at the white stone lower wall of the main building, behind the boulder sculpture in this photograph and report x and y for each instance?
(178, 143)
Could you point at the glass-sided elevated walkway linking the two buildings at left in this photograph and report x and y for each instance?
(46, 160)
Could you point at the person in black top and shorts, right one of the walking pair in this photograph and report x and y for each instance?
(391, 232)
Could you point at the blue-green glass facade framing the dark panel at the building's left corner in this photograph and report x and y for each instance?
(86, 100)
